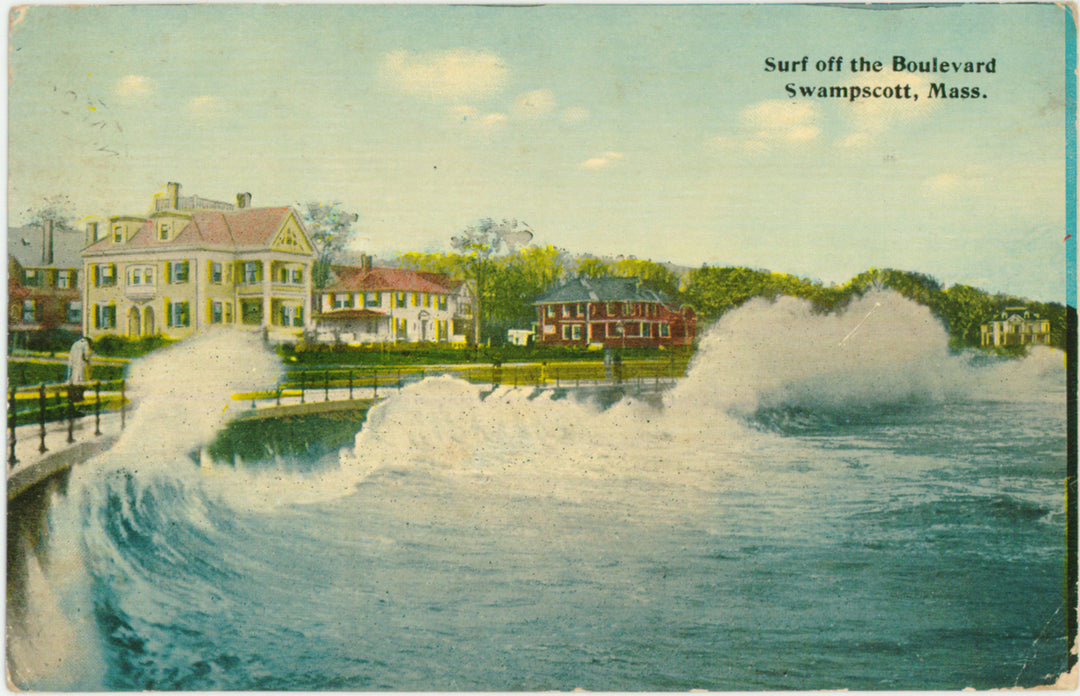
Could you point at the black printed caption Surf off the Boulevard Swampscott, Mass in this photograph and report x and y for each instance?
(899, 91)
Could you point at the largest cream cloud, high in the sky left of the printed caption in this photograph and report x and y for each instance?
(445, 75)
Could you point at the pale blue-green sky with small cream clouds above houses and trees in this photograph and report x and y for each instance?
(647, 131)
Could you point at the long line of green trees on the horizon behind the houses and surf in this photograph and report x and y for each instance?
(509, 280)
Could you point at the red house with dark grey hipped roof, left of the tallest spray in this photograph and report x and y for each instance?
(612, 313)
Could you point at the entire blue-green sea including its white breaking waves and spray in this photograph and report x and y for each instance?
(823, 502)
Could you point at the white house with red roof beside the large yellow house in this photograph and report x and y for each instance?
(367, 304)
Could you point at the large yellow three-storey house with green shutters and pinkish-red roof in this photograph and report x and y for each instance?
(194, 264)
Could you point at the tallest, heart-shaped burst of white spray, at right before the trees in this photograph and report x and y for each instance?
(882, 351)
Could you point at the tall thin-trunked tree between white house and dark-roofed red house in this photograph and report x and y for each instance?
(480, 245)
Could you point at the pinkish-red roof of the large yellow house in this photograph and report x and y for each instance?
(239, 230)
